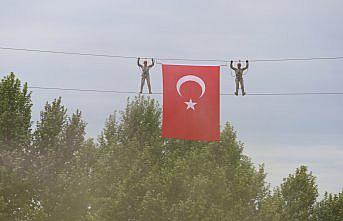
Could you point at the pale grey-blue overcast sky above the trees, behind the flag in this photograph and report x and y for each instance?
(283, 132)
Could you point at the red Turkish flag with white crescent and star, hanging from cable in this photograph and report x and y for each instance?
(191, 102)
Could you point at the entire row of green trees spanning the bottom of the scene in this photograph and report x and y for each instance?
(54, 173)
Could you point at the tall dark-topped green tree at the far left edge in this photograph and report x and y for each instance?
(16, 190)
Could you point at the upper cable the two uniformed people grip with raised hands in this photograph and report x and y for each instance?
(167, 59)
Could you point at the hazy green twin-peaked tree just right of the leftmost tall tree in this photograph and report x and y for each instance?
(59, 142)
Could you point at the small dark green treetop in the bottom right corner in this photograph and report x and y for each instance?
(330, 208)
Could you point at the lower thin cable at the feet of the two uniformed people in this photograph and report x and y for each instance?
(160, 93)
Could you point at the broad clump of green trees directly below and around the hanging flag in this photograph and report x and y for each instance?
(140, 176)
